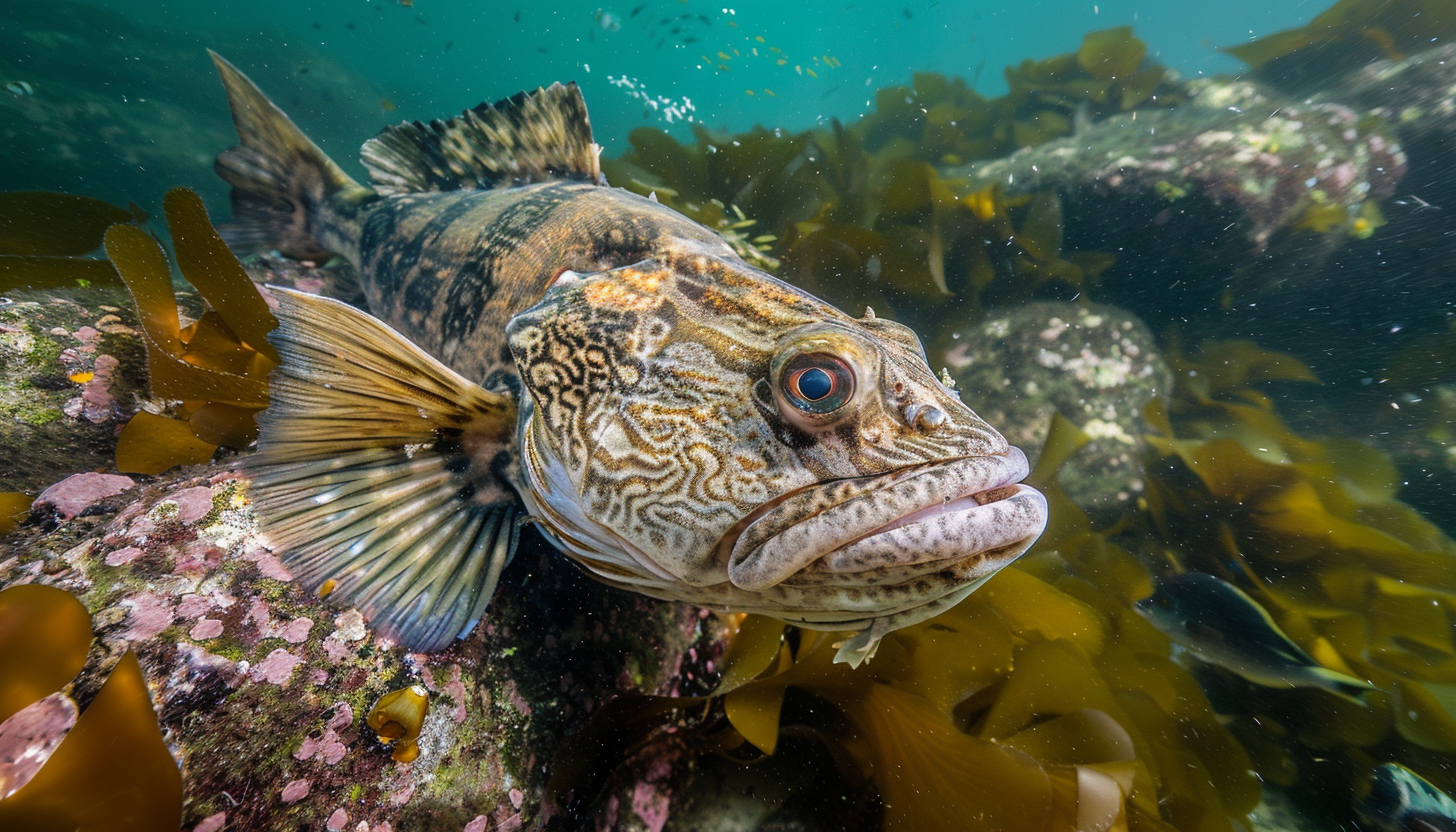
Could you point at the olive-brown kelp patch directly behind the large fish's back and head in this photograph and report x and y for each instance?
(860, 229)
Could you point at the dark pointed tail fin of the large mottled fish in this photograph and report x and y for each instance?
(288, 195)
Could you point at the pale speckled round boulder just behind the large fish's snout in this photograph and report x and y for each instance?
(1096, 365)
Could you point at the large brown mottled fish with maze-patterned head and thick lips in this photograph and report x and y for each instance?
(678, 422)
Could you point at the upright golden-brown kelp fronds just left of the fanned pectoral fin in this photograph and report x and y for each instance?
(216, 369)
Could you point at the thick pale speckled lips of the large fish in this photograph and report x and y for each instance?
(820, 528)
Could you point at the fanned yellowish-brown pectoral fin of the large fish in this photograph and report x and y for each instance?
(373, 476)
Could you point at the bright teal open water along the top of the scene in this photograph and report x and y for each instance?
(439, 58)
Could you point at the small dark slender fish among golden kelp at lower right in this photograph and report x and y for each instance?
(1221, 624)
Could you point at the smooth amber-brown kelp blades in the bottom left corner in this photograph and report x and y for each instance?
(113, 772)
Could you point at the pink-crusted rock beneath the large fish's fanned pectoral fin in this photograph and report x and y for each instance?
(263, 690)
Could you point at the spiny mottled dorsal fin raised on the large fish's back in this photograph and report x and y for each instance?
(529, 138)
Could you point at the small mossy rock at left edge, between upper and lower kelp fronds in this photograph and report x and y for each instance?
(72, 374)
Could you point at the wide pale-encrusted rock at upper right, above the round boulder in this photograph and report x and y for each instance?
(1193, 193)
